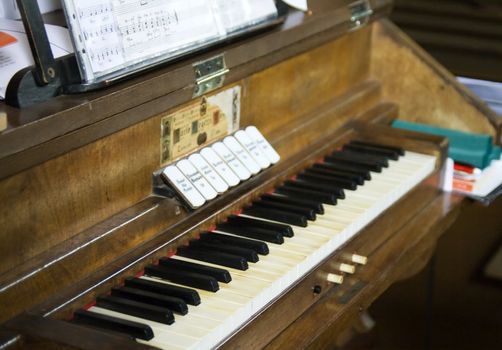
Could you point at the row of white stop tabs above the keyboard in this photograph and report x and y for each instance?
(204, 175)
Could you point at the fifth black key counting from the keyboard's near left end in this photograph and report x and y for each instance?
(190, 279)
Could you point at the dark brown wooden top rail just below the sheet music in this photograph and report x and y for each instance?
(131, 102)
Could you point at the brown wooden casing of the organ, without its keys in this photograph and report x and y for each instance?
(80, 215)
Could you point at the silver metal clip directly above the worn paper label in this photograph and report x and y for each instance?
(209, 75)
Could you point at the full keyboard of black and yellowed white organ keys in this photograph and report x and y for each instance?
(298, 234)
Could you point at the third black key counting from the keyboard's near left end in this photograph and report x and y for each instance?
(175, 304)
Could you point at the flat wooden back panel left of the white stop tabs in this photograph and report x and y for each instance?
(51, 202)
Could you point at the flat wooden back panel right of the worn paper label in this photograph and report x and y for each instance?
(289, 91)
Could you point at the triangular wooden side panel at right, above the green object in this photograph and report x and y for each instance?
(425, 91)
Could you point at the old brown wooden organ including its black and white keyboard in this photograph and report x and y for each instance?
(84, 216)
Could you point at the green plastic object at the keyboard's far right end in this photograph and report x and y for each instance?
(474, 149)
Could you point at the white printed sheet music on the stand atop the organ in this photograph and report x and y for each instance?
(114, 35)
